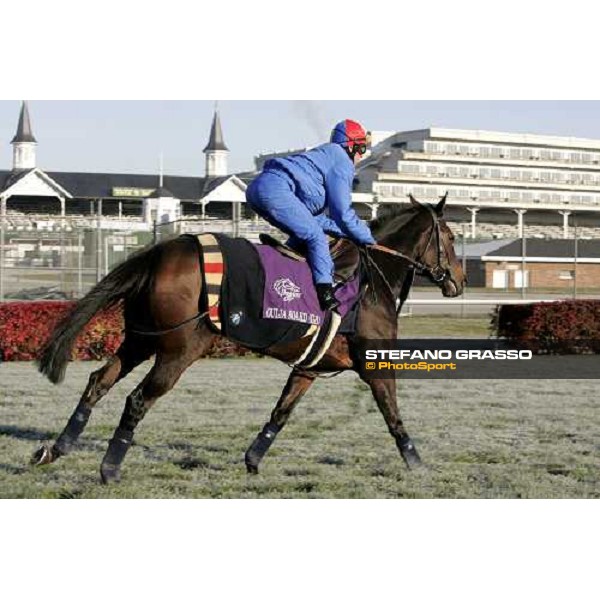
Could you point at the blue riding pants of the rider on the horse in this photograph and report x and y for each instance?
(271, 195)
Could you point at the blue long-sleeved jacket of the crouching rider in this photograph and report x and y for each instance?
(322, 178)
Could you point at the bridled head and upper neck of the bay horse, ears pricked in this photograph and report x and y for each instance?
(421, 233)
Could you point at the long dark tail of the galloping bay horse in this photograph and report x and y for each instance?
(126, 281)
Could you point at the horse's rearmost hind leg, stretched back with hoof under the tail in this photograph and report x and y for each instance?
(127, 358)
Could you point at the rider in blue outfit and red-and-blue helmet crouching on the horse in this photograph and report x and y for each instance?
(294, 192)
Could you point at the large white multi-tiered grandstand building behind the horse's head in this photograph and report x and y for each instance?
(497, 182)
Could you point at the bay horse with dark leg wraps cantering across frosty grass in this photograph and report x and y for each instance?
(161, 286)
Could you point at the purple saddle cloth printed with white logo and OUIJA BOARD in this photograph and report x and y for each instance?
(289, 293)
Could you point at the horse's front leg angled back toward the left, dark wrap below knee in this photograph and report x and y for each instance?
(296, 386)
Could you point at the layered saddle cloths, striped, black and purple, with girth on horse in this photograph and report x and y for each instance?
(259, 296)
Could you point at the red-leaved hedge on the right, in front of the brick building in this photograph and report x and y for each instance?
(568, 326)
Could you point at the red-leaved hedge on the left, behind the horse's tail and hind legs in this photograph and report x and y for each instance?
(25, 327)
